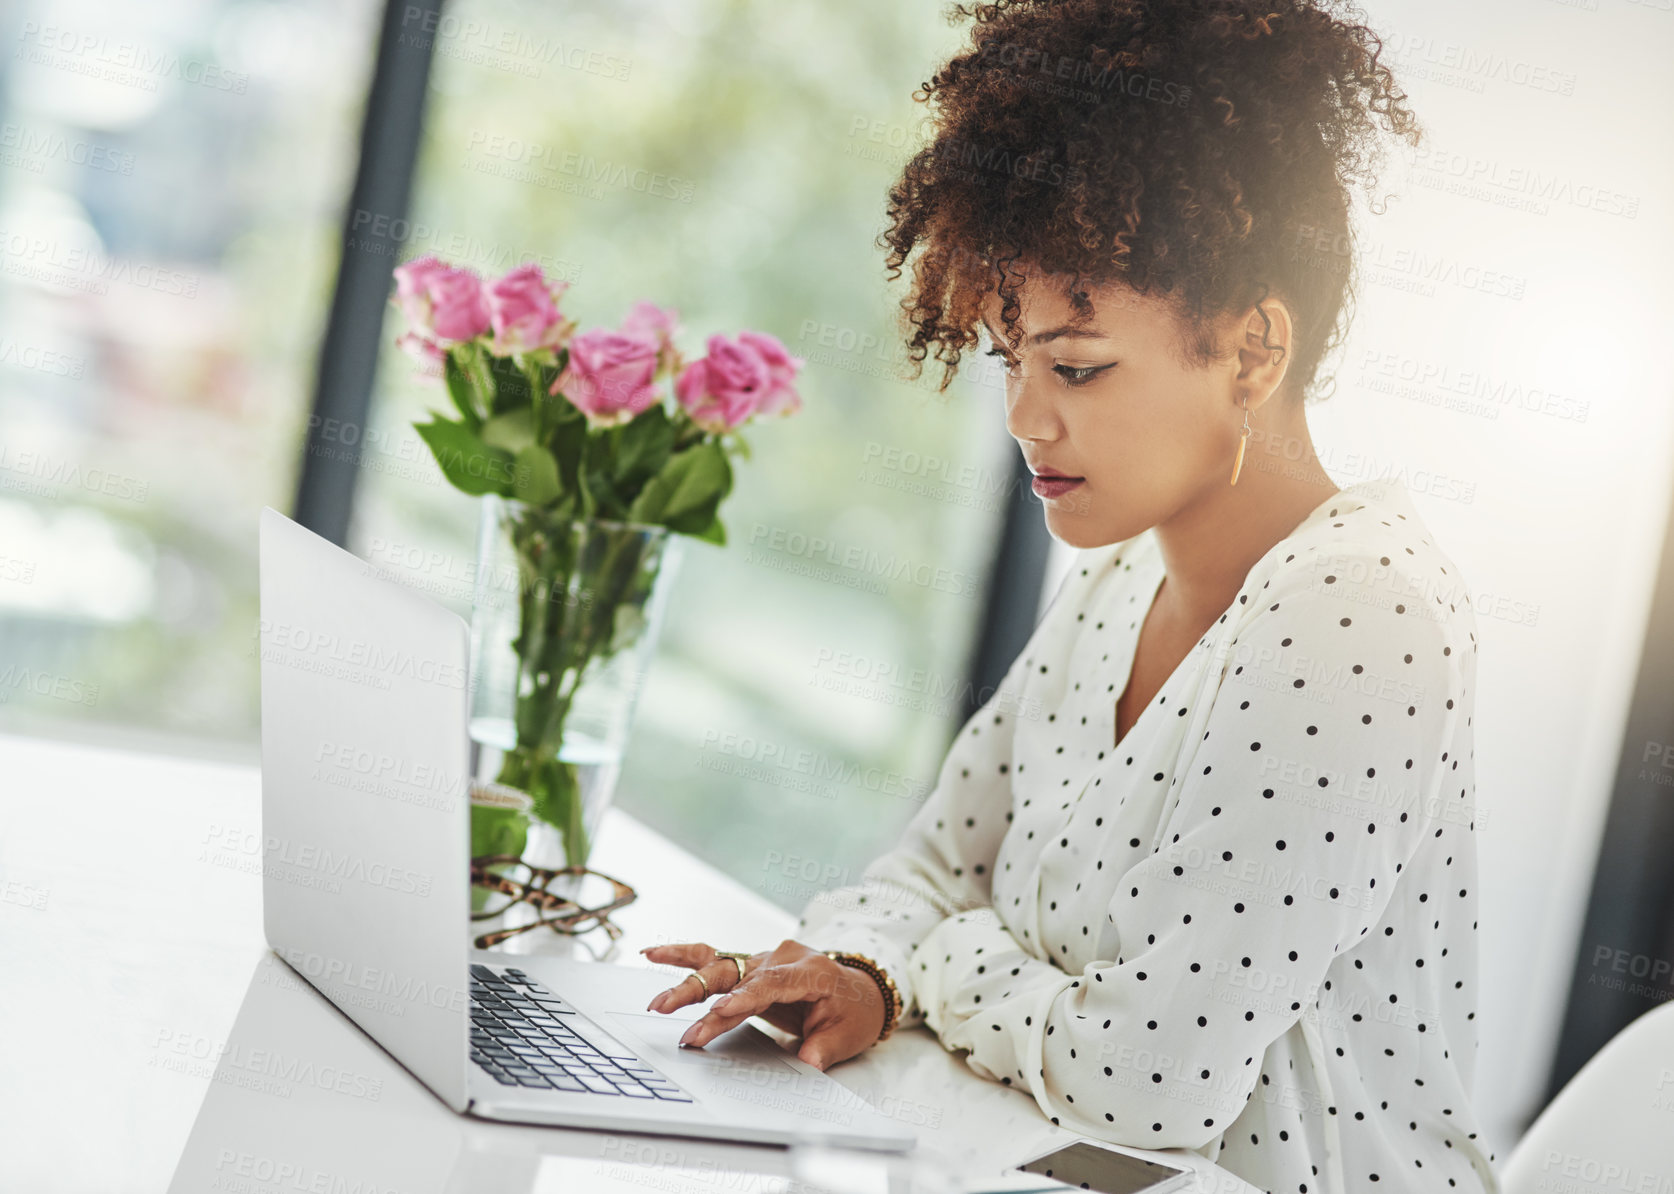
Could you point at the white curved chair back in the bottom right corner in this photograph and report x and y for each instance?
(1611, 1128)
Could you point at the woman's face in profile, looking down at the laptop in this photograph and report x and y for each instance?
(1107, 401)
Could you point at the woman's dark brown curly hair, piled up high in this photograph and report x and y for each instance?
(1193, 150)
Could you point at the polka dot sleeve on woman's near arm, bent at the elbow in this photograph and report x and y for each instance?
(1293, 825)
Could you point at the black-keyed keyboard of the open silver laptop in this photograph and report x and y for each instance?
(528, 1037)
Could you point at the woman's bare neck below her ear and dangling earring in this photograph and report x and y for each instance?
(1213, 542)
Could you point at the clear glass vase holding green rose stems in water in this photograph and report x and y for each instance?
(565, 622)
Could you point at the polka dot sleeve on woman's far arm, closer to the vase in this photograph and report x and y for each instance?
(945, 860)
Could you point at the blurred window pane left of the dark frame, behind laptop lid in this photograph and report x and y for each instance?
(172, 182)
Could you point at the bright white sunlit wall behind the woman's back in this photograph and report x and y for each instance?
(1556, 520)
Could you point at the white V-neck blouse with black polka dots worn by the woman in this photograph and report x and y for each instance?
(1250, 929)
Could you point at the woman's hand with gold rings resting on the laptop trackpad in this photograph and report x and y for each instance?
(834, 1009)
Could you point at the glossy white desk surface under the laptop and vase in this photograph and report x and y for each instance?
(131, 942)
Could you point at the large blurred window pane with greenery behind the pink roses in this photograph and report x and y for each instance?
(731, 160)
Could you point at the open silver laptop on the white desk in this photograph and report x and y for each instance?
(366, 756)
